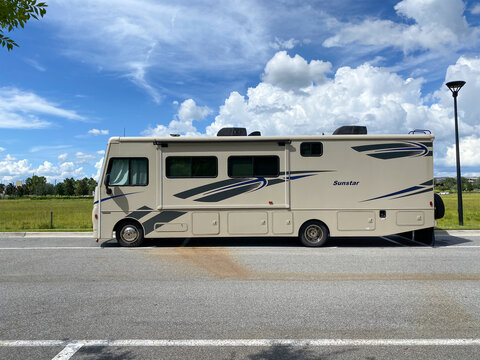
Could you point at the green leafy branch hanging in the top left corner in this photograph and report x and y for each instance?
(15, 13)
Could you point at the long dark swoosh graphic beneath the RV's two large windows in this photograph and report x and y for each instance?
(226, 189)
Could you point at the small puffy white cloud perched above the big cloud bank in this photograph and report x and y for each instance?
(293, 73)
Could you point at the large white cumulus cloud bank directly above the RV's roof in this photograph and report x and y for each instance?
(366, 95)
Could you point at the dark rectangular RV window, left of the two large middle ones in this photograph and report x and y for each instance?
(191, 166)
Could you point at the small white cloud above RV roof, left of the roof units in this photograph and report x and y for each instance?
(183, 121)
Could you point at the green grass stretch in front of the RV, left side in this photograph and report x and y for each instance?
(27, 214)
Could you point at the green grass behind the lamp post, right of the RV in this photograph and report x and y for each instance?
(471, 212)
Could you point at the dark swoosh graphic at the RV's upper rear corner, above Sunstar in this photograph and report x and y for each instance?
(396, 150)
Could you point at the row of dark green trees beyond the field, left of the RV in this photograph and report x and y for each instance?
(37, 185)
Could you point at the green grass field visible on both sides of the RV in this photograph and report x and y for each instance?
(75, 214)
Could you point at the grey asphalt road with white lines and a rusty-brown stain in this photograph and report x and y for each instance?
(371, 298)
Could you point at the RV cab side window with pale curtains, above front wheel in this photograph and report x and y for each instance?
(128, 172)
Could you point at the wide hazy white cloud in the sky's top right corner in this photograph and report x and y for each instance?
(437, 24)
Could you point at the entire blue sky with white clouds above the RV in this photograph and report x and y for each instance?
(93, 69)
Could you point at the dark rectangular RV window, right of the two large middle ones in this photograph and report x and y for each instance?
(251, 166)
